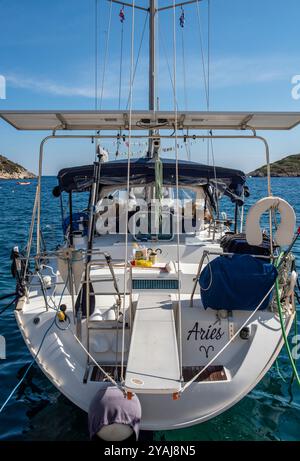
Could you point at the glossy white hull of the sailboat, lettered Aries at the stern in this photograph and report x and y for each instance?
(245, 362)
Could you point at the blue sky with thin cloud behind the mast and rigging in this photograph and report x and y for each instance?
(47, 55)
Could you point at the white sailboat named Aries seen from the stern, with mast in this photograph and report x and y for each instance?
(157, 311)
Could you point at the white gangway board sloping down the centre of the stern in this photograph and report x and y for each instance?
(153, 362)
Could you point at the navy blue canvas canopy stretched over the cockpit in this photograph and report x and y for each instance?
(142, 171)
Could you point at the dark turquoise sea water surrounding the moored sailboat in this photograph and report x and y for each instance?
(39, 412)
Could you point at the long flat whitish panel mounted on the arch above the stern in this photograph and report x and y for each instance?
(145, 120)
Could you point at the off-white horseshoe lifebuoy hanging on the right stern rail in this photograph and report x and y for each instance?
(285, 231)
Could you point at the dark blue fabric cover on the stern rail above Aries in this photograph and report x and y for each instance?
(239, 282)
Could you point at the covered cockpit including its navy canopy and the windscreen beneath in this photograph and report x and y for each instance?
(147, 209)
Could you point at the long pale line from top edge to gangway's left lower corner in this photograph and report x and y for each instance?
(128, 185)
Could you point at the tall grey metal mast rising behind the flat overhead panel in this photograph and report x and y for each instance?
(152, 63)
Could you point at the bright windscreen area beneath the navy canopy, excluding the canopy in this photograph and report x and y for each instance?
(146, 216)
